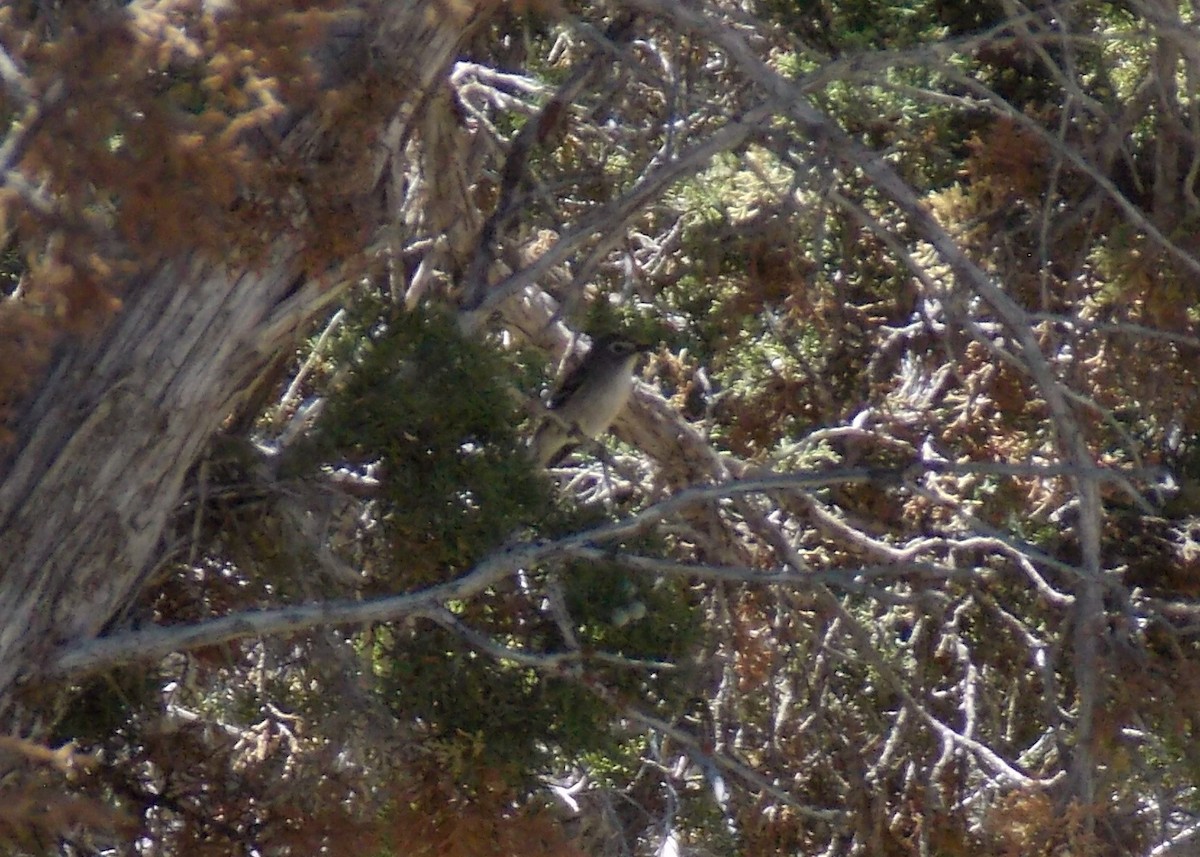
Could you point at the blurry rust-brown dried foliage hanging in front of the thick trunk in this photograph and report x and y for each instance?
(165, 131)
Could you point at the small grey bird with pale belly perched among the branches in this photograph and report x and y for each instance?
(589, 400)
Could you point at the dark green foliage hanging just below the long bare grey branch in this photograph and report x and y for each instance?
(509, 720)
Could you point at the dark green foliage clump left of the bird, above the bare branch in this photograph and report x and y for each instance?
(434, 412)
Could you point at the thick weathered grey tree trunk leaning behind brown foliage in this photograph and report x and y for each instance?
(105, 442)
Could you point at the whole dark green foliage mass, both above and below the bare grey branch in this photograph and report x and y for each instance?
(433, 413)
